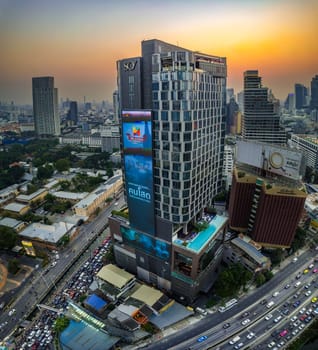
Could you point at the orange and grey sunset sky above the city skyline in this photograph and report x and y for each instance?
(79, 41)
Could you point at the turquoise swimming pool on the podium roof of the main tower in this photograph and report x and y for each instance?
(203, 237)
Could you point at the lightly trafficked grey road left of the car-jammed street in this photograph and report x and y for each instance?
(35, 290)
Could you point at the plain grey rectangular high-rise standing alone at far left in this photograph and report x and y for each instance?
(45, 107)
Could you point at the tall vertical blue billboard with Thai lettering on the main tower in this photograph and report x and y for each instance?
(137, 149)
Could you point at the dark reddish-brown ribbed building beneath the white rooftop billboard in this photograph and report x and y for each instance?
(266, 211)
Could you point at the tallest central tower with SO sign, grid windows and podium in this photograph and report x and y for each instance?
(173, 127)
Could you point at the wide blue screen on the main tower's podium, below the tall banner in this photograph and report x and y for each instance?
(148, 244)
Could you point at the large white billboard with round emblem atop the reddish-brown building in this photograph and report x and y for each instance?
(277, 160)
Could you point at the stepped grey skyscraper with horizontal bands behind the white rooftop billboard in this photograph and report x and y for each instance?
(261, 120)
